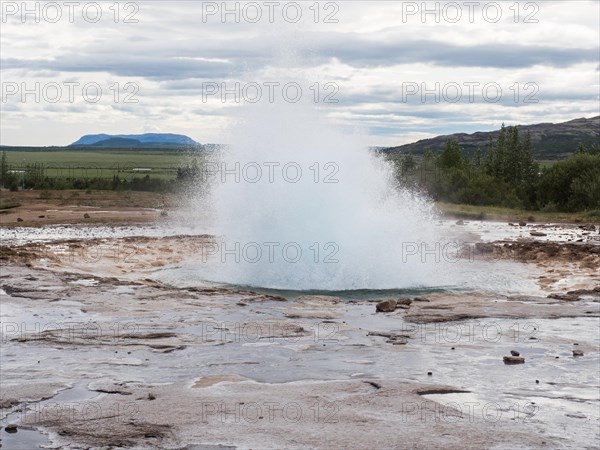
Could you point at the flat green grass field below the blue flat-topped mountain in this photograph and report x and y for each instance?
(101, 164)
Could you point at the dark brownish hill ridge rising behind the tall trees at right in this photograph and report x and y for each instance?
(549, 140)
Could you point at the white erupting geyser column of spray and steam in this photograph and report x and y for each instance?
(301, 205)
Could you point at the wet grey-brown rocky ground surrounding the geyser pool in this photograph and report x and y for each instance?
(96, 353)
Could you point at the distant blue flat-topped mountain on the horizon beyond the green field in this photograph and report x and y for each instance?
(134, 140)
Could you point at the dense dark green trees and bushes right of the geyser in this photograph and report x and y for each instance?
(505, 174)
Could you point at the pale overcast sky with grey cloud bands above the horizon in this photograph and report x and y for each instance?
(168, 61)
